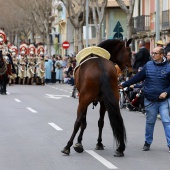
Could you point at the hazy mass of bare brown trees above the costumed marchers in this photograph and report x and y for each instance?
(27, 17)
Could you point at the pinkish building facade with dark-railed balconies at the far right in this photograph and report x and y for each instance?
(148, 13)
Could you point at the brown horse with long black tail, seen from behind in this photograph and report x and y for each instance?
(96, 81)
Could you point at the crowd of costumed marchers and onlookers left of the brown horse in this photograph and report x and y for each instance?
(28, 65)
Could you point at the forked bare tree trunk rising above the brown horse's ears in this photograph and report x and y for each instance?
(129, 14)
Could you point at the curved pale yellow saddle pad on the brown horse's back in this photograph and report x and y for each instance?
(92, 50)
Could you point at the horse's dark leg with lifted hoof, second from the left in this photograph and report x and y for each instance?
(78, 147)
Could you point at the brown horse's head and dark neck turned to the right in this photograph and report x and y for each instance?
(120, 52)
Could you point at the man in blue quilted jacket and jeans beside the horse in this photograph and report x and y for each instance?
(156, 74)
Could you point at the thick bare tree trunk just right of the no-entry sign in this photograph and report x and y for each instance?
(76, 12)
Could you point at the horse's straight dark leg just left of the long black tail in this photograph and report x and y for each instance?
(99, 145)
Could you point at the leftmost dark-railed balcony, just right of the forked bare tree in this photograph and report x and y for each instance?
(141, 24)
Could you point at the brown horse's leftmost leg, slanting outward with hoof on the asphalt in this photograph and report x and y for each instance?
(80, 116)
